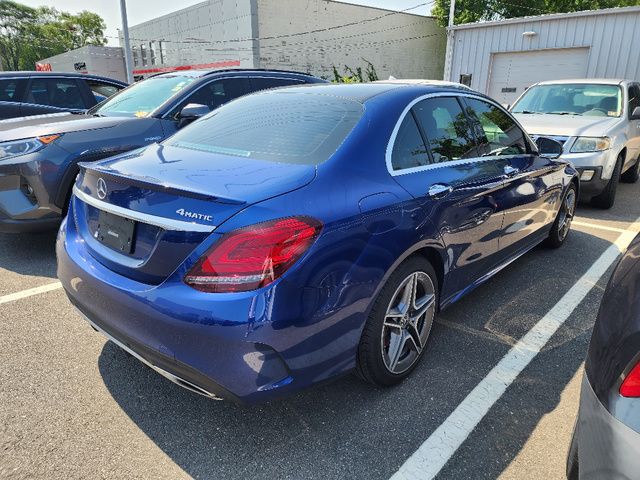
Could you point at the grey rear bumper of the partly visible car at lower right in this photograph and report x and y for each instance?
(607, 448)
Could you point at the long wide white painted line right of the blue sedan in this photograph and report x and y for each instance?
(436, 451)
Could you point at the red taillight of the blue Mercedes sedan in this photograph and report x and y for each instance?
(254, 256)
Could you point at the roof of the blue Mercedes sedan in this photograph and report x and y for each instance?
(362, 92)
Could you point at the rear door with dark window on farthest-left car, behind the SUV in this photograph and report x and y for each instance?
(51, 95)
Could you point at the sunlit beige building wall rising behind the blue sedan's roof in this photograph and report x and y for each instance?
(398, 44)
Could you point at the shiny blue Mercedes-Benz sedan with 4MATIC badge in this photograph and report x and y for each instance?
(298, 234)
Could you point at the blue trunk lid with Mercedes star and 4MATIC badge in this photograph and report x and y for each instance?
(175, 198)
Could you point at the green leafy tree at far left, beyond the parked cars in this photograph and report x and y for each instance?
(30, 34)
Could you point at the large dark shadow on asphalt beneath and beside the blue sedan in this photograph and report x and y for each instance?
(348, 429)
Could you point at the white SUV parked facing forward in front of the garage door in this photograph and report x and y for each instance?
(598, 121)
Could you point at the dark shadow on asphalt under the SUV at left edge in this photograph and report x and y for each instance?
(29, 254)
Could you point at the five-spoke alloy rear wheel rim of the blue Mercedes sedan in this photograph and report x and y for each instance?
(407, 322)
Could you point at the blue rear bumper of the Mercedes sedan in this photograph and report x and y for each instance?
(248, 347)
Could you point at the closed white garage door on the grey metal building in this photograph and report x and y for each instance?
(512, 73)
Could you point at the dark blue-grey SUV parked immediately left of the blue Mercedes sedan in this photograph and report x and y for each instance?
(39, 155)
